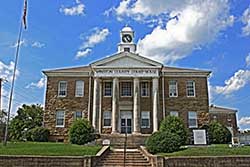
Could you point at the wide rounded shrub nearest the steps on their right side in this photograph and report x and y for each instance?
(163, 142)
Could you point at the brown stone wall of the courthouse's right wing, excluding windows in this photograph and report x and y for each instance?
(184, 104)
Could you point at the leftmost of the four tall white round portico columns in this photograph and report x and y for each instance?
(95, 103)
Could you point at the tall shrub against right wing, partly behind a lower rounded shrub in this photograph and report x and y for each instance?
(174, 125)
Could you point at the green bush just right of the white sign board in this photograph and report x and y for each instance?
(218, 133)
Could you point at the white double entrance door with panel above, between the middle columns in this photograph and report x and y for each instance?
(126, 121)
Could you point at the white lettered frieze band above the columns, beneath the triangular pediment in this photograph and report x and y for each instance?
(126, 73)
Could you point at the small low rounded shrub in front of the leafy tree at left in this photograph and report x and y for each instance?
(38, 134)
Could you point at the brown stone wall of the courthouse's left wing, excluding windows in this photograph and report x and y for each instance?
(69, 104)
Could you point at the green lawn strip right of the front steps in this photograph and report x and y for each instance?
(212, 150)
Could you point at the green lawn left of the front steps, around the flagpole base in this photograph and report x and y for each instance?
(47, 148)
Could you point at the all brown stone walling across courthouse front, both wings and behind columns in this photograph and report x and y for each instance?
(69, 104)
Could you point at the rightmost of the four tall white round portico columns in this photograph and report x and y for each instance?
(155, 104)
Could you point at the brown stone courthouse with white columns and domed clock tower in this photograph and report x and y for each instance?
(124, 91)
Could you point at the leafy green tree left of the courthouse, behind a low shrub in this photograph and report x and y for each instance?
(27, 118)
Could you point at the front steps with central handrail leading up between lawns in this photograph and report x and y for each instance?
(115, 158)
